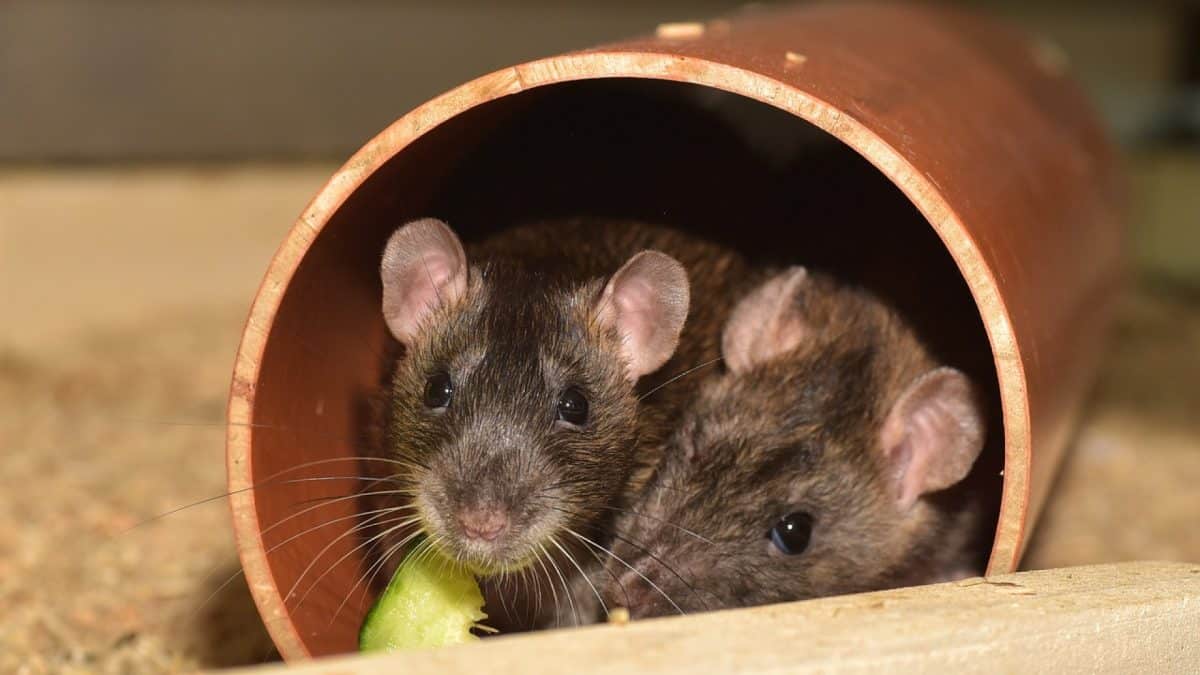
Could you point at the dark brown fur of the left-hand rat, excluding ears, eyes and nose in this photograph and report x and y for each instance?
(526, 330)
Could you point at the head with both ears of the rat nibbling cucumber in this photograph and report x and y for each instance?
(513, 409)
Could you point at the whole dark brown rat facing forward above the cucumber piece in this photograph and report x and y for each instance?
(537, 380)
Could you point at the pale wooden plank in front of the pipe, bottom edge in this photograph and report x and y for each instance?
(1127, 618)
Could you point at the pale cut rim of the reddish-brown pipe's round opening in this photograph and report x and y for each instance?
(605, 64)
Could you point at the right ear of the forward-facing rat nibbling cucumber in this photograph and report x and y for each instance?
(646, 302)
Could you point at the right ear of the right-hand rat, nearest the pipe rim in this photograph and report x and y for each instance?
(933, 435)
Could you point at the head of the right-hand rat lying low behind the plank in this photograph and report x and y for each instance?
(809, 469)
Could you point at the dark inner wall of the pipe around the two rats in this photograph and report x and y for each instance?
(711, 163)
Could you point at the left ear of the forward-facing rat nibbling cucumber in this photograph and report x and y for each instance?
(424, 268)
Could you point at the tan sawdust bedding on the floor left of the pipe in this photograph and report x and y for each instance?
(97, 440)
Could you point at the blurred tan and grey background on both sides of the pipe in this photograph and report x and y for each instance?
(154, 154)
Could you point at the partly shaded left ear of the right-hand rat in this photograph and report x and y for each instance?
(766, 324)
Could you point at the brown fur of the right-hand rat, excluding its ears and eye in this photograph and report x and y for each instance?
(796, 433)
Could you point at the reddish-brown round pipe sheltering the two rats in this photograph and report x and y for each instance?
(969, 139)
